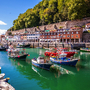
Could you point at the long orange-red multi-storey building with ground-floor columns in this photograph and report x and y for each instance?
(62, 35)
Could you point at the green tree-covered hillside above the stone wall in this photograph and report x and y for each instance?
(52, 11)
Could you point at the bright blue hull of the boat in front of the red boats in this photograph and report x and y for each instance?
(68, 62)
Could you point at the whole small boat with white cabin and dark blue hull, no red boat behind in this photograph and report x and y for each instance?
(41, 63)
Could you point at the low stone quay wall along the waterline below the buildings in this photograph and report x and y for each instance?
(54, 45)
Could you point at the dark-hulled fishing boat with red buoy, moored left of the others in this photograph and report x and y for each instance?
(17, 54)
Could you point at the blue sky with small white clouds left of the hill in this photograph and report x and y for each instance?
(10, 10)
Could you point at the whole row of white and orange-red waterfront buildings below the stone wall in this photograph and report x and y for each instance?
(73, 34)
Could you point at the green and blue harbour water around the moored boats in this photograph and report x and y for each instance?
(24, 76)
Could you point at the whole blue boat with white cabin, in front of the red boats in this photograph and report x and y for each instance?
(61, 59)
